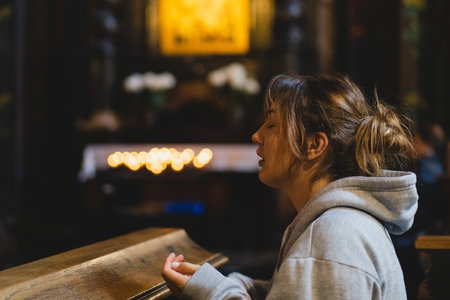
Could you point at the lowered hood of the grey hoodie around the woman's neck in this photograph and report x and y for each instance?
(391, 198)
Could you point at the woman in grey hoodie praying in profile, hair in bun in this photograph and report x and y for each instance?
(340, 161)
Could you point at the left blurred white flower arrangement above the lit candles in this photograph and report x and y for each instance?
(151, 85)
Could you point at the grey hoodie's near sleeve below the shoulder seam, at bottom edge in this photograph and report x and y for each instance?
(309, 278)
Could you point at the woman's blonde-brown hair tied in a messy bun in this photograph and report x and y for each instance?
(363, 139)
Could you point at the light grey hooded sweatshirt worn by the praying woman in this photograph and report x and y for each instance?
(337, 247)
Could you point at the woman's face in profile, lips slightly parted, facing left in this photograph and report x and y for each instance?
(276, 157)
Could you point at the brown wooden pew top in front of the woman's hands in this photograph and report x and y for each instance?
(124, 267)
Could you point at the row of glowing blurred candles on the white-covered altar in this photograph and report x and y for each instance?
(158, 159)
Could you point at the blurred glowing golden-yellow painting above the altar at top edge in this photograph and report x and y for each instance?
(196, 27)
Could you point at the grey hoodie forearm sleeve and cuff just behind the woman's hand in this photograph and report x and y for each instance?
(208, 283)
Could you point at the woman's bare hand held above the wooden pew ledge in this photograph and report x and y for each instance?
(176, 273)
